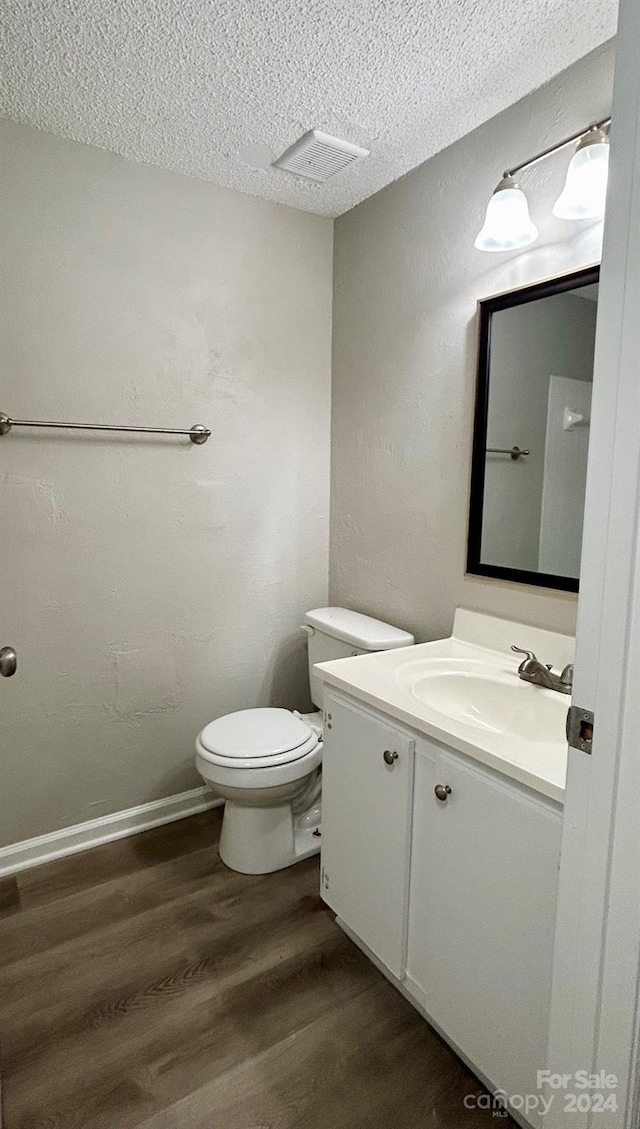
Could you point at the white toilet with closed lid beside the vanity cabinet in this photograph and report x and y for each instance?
(266, 764)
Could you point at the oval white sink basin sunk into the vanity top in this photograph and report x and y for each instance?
(486, 698)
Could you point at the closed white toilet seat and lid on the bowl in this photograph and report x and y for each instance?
(257, 739)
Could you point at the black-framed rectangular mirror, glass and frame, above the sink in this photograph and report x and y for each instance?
(536, 365)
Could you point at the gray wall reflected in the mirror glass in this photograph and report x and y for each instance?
(530, 344)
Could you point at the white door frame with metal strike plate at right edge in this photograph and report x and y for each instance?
(595, 1013)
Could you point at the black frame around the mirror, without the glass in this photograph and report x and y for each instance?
(486, 310)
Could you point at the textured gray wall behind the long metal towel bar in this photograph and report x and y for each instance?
(151, 585)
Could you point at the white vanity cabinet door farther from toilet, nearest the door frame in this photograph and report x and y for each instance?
(483, 916)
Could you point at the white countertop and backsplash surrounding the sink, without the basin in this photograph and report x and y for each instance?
(539, 765)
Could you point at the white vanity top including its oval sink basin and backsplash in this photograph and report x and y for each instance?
(464, 694)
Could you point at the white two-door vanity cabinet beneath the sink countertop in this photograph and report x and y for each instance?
(455, 897)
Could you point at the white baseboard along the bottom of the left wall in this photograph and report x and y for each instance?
(107, 828)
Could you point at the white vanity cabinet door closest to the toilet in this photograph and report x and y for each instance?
(366, 812)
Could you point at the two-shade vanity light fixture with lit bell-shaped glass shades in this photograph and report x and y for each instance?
(509, 225)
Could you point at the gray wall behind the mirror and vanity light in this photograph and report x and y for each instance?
(407, 283)
